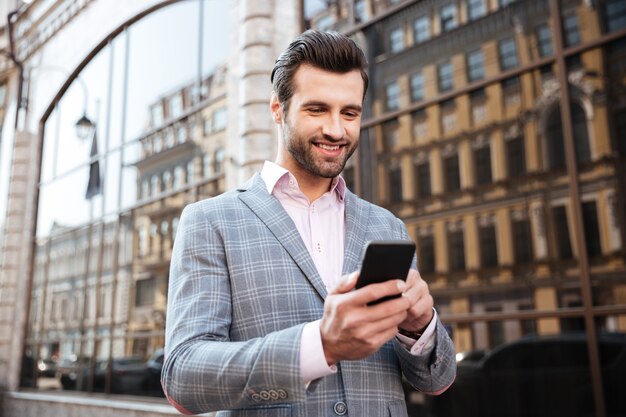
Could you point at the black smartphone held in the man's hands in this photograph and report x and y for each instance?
(385, 260)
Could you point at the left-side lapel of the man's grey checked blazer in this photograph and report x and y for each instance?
(269, 210)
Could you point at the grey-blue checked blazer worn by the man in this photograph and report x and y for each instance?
(243, 285)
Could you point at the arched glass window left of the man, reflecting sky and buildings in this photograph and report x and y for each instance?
(109, 203)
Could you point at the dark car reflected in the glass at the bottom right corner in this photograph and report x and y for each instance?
(537, 376)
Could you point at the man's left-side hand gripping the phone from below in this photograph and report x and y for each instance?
(351, 329)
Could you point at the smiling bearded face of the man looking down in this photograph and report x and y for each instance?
(321, 128)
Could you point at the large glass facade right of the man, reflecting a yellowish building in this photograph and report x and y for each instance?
(516, 206)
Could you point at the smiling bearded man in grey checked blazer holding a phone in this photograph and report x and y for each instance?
(263, 318)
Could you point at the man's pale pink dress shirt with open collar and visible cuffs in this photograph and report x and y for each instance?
(321, 225)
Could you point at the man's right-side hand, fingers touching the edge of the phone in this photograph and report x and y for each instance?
(420, 312)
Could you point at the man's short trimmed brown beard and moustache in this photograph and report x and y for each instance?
(303, 152)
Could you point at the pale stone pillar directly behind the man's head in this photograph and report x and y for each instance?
(261, 30)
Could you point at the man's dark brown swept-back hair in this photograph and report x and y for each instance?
(330, 51)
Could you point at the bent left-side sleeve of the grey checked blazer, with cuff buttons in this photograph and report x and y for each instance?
(203, 369)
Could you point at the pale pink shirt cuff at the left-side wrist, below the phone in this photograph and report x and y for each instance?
(313, 363)
